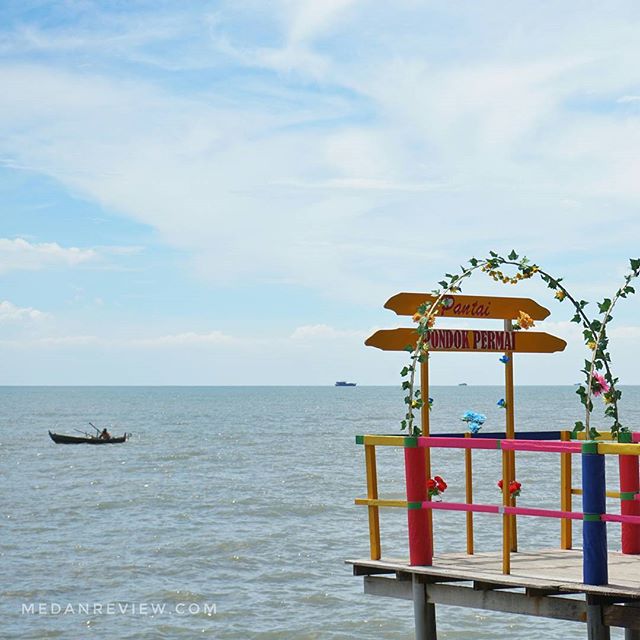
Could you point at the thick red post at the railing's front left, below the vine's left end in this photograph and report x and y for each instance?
(420, 544)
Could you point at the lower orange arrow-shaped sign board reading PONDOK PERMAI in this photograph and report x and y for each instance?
(468, 340)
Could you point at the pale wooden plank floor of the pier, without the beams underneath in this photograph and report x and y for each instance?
(547, 569)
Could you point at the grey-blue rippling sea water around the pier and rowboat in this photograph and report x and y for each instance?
(241, 499)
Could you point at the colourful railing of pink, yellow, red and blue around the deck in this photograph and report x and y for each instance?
(593, 491)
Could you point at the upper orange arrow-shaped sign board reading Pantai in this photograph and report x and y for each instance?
(457, 306)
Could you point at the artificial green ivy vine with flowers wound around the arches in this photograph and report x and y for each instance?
(594, 333)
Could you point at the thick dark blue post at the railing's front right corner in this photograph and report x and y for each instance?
(594, 530)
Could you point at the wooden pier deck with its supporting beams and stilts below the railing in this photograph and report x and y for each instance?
(544, 583)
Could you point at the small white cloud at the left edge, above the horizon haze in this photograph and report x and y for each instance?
(18, 254)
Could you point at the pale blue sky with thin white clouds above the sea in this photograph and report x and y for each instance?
(221, 193)
